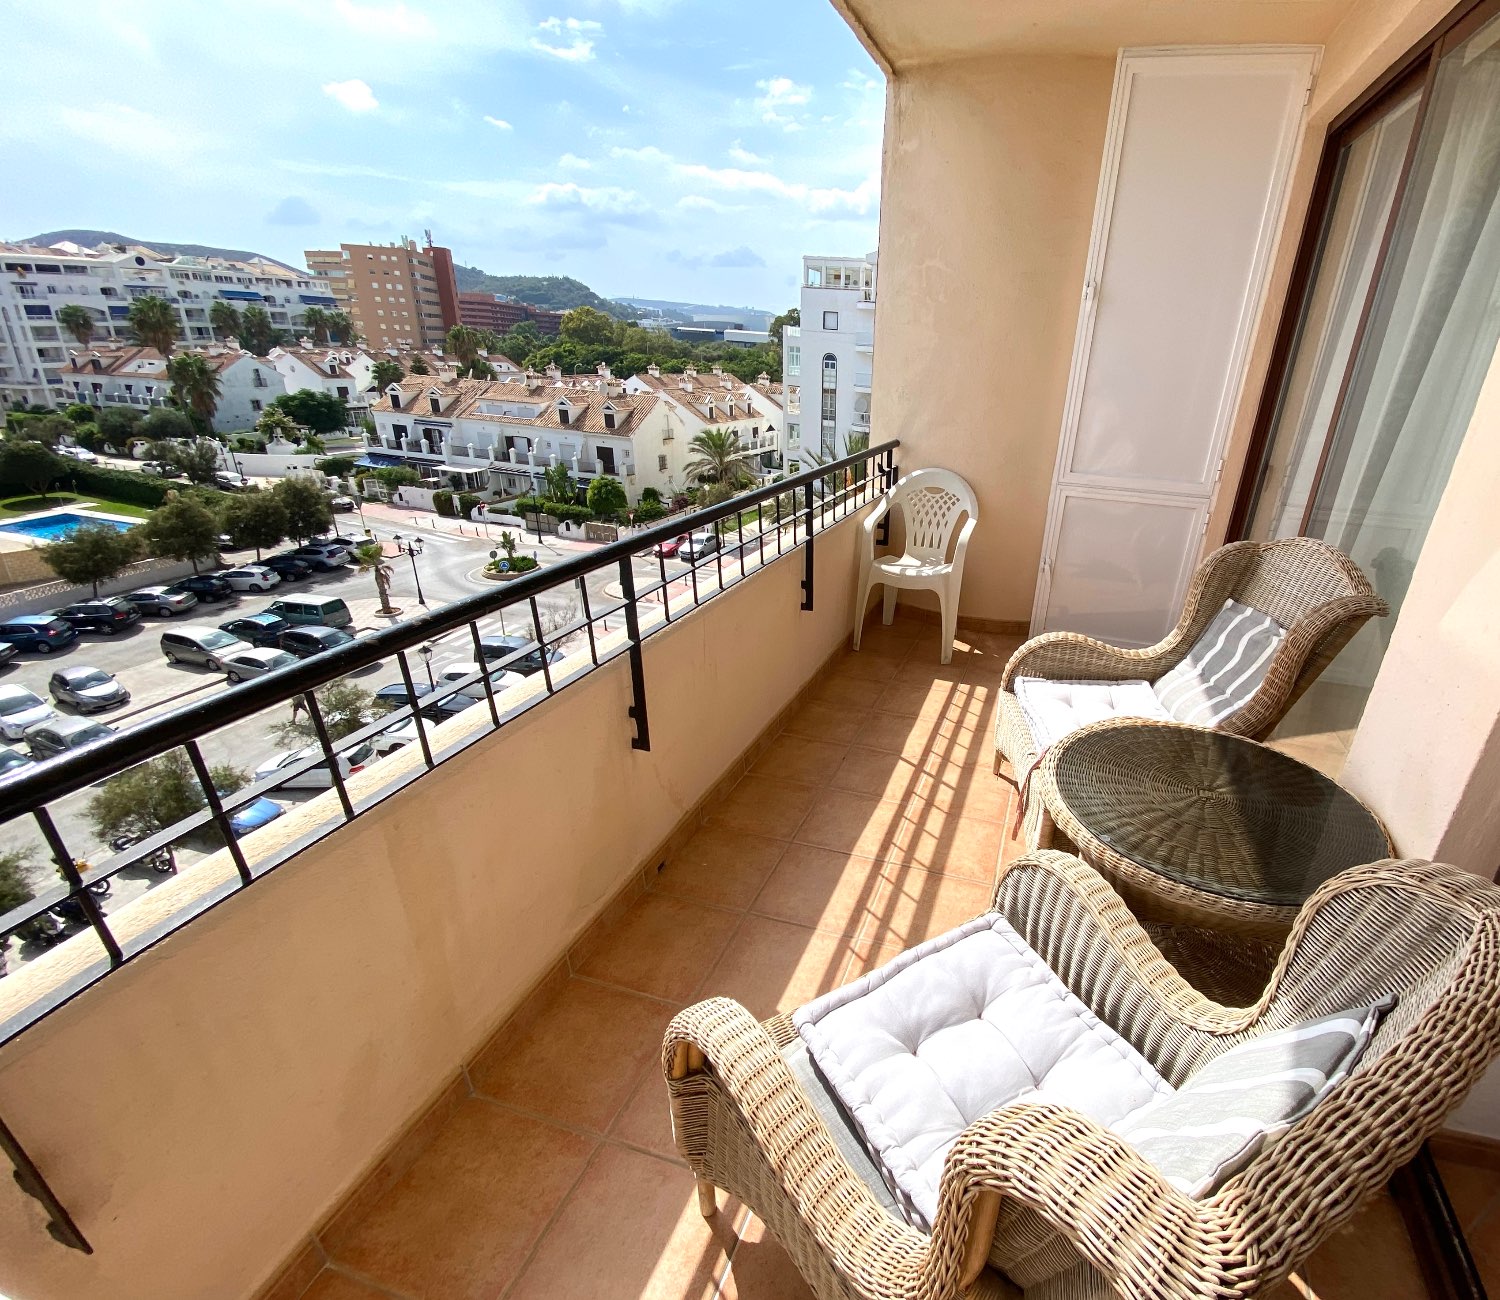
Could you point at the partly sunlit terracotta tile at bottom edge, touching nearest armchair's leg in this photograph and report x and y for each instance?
(631, 1230)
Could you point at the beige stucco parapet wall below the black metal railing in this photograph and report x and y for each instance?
(203, 1107)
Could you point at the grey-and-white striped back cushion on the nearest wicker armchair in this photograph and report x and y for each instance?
(1247, 1098)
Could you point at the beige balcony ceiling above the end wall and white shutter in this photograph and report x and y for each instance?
(904, 34)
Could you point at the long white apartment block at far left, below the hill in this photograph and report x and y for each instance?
(38, 283)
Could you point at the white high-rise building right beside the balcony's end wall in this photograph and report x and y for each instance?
(829, 361)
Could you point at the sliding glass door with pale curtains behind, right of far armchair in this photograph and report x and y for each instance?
(1396, 329)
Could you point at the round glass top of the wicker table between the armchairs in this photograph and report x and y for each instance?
(1216, 812)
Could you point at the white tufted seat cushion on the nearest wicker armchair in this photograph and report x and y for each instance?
(949, 1032)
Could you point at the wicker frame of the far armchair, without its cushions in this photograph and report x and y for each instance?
(1316, 593)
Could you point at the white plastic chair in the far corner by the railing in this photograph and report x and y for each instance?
(932, 503)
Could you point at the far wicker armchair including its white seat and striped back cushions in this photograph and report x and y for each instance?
(1310, 598)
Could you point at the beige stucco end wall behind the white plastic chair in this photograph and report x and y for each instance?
(988, 199)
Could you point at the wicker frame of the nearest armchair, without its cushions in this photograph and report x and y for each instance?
(1040, 1199)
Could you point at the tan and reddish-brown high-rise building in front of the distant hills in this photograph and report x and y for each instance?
(394, 293)
